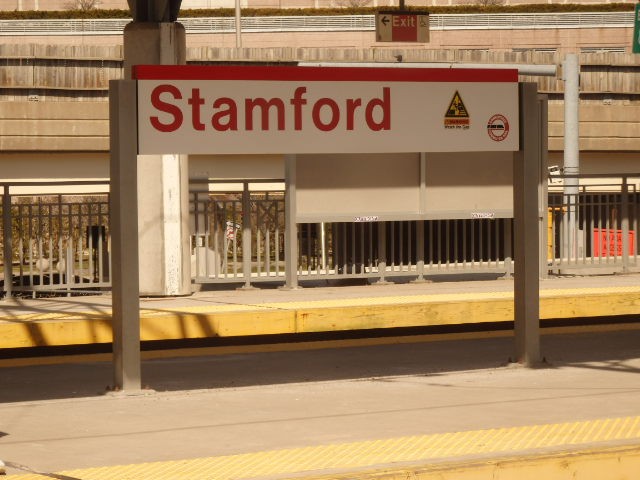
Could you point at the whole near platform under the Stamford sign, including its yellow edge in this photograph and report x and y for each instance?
(418, 408)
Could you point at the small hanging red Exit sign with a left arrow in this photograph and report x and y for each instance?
(399, 26)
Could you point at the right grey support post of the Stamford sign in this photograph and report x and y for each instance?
(526, 185)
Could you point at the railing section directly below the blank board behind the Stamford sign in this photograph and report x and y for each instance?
(404, 248)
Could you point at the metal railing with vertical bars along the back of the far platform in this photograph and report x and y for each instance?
(59, 241)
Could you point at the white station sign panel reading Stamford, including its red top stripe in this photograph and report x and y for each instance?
(199, 110)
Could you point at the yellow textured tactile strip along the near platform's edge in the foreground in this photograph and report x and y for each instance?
(358, 455)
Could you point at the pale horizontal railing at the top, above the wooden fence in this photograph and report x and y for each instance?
(494, 21)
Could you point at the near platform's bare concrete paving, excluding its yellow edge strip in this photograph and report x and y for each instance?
(55, 417)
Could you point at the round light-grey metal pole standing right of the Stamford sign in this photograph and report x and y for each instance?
(571, 77)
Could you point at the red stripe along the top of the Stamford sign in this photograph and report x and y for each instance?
(321, 74)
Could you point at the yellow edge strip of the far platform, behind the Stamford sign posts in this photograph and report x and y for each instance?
(316, 316)
